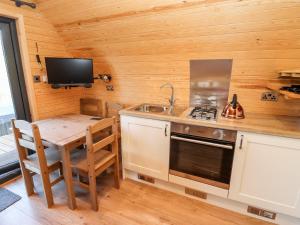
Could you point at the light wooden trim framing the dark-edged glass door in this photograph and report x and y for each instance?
(25, 61)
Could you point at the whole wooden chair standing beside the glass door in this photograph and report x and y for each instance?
(43, 162)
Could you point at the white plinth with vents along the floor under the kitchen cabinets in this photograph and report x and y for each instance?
(212, 199)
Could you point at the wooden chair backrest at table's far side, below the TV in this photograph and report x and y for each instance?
(92, 107)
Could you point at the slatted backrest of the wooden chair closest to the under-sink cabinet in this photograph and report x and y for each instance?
(111, 139)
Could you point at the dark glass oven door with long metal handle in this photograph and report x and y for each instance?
(201, 159)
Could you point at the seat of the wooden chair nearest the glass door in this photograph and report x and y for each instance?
(52, 157)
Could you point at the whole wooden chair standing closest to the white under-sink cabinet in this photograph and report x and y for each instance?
(97, 159)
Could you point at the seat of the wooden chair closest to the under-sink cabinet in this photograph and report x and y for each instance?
(79, 160)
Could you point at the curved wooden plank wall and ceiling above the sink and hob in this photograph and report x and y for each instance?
(146, 43)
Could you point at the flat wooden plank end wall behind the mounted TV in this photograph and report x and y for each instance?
(39, 29)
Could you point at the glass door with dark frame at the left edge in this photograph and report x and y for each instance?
(13, 97)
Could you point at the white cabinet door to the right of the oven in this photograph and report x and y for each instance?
(266, 173)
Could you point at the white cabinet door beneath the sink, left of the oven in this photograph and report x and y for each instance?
(146, 146)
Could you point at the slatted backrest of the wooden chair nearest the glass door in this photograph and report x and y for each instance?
(27, 136)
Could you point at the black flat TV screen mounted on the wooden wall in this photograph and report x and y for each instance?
(69, 70)
